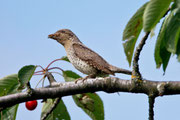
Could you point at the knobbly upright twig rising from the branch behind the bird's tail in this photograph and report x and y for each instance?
(135, 71)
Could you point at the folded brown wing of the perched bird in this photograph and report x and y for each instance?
(91, 58)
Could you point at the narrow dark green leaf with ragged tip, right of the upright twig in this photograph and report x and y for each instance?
(161, 54)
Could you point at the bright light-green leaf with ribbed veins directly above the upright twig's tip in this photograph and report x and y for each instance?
(154, 12)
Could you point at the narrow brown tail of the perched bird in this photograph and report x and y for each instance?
(115, 69)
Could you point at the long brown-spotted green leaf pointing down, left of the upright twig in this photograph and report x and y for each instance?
(132, 31)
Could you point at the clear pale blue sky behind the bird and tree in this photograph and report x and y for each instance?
(25, 25)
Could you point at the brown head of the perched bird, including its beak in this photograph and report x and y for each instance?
(62, 36)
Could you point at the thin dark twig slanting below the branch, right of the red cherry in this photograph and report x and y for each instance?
(56, 101)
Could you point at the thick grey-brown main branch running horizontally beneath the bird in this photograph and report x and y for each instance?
(108, 84)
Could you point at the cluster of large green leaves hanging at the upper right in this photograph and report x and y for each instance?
(147, 17)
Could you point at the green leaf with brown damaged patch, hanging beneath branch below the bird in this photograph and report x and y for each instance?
(90, 103)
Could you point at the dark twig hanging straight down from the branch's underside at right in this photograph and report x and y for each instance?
(151, 107)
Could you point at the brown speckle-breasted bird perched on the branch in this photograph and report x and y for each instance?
(83, 58)
